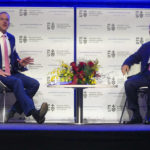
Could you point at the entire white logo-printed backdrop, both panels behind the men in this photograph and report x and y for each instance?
(107, 34)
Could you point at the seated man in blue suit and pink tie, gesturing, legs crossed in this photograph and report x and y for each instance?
(24, 87)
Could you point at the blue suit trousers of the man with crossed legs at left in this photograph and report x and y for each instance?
(24, 88)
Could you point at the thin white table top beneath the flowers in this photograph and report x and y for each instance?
(81, 86)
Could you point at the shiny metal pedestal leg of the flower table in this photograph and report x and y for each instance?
(79, 106)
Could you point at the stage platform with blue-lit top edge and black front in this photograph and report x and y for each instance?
(74, 137)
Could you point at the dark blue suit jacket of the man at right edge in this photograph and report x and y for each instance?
(141, 55)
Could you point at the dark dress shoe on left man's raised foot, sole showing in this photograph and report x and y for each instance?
(39, 115)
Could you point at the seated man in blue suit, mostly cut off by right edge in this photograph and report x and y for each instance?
(134, 82)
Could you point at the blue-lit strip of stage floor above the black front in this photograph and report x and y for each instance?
(75, 127)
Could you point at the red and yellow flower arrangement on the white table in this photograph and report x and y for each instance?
(83, 73)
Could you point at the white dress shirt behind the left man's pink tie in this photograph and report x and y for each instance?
(2, 48)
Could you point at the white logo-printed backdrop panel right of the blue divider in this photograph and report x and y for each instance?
(110, 35)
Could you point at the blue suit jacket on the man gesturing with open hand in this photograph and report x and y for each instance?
(15, 67)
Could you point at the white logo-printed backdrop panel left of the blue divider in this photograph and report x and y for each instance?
(47, 35)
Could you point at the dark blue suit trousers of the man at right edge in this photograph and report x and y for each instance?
(132, 85)
